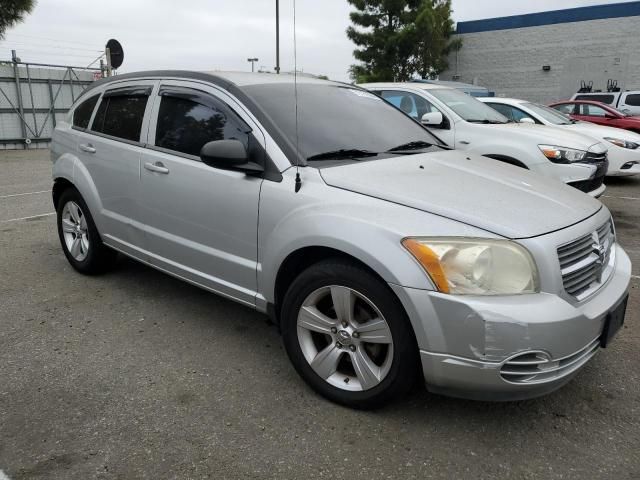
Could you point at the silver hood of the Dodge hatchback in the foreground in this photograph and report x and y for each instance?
(499, 198)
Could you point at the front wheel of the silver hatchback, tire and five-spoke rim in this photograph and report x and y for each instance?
(340, 361)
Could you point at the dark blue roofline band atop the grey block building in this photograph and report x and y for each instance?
(580, 14)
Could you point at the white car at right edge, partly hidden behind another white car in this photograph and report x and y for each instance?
(624, 146)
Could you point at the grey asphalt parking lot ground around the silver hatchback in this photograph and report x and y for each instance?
(137, 375)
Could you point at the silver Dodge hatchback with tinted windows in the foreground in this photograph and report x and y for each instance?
(382, 255)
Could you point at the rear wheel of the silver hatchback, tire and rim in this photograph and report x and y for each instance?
(80, 240)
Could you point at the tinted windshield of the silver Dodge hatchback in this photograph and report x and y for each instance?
(336, 122)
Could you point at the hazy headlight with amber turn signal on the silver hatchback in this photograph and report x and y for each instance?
(475, 266)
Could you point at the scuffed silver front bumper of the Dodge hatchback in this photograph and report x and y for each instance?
(466, 341)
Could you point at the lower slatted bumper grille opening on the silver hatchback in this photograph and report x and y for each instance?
(539, 367)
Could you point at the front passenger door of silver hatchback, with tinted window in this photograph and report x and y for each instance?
(201, 223)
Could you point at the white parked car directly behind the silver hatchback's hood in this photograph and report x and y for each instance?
(467, 124)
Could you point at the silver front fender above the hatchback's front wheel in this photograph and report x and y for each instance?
(367, 229)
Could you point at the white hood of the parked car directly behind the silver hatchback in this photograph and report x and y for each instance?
(547, 135)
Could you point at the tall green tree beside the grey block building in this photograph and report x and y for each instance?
(398, 38)
